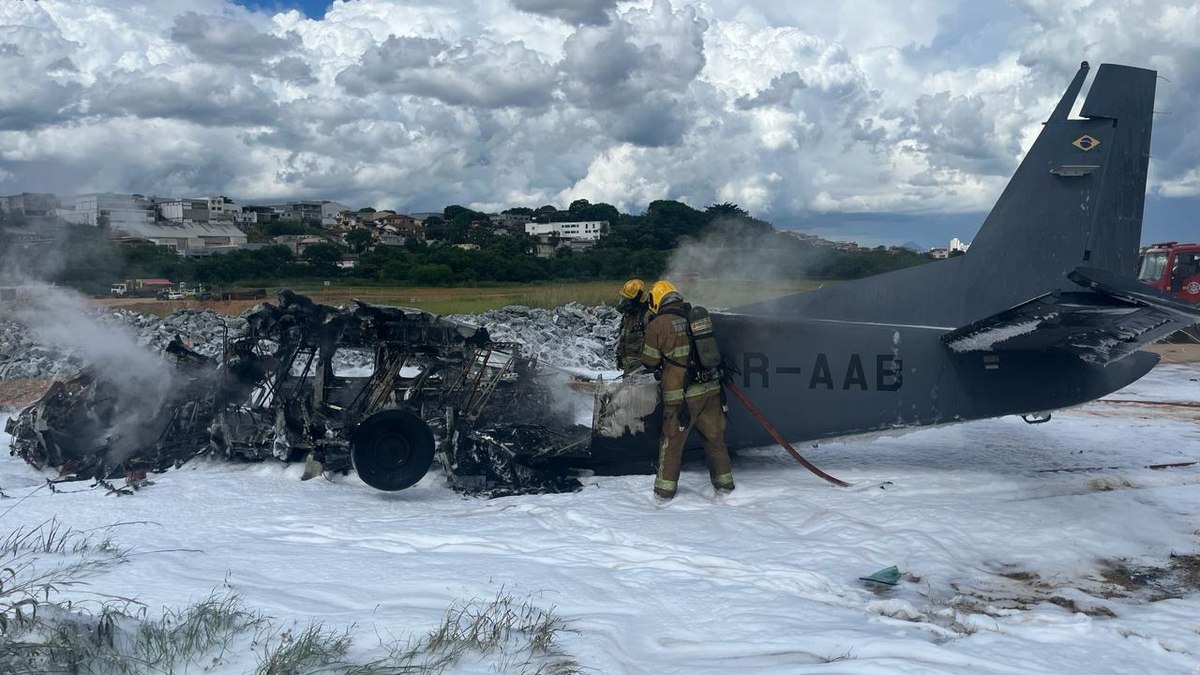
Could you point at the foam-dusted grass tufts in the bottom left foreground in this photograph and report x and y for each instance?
(41, 631)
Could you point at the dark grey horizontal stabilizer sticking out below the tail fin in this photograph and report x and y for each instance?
(1109, 322)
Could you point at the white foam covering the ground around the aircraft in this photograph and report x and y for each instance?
(1007, 568)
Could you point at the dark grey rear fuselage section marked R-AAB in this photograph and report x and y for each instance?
(818, 379)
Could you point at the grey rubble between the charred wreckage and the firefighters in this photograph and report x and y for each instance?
(573, 336)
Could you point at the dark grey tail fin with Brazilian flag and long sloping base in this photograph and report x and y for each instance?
(1076, 201)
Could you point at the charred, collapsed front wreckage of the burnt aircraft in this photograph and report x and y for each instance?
(435, 389)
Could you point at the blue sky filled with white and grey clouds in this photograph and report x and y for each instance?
(879, 122)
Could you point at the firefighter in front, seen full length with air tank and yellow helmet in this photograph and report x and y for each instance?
(691, 398)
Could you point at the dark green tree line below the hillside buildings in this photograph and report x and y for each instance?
(634, 246)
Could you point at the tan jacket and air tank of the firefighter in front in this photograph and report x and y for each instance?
(669, 347)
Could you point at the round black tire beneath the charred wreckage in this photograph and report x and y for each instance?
(392, 450)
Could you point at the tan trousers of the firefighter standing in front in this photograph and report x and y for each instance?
(706, 417)
